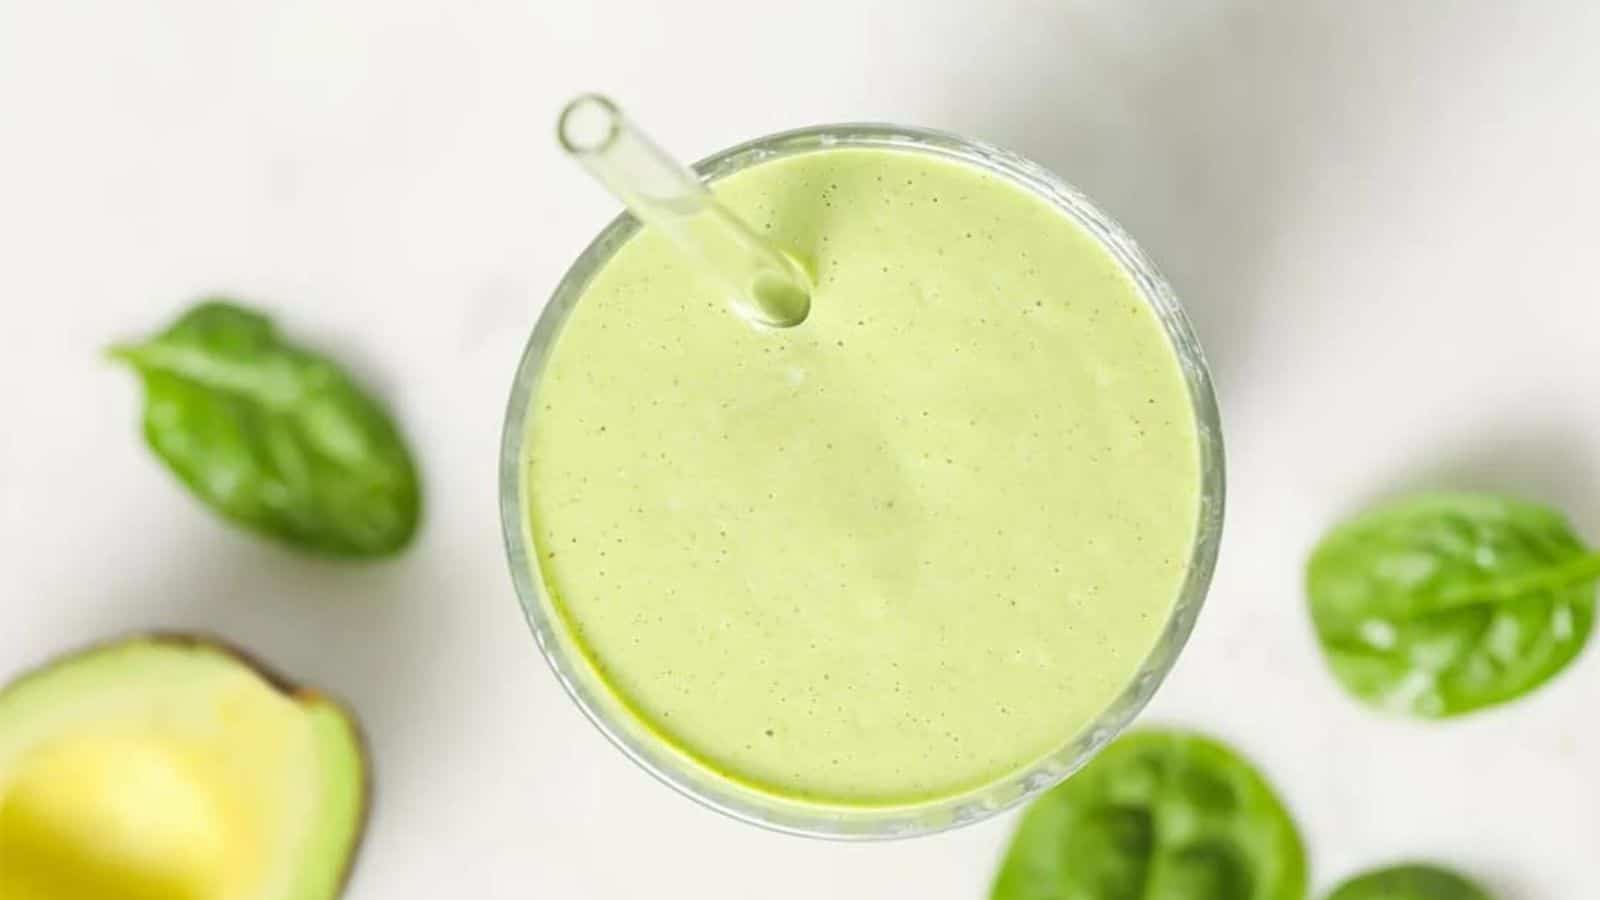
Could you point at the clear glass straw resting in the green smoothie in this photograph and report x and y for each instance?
(767, 284)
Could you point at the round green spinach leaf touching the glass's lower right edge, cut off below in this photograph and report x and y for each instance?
(1158, 816)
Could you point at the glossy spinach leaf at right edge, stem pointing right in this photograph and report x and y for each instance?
(1444, 605)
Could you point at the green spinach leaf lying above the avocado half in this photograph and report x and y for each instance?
(273, 436)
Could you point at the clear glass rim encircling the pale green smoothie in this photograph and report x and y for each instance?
(746, 803)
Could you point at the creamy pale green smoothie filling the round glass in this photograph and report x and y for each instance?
(895, 553)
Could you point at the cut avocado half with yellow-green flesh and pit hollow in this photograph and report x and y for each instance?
(175, 769)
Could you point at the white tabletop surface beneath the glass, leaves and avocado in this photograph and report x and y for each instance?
(1383, 219)
